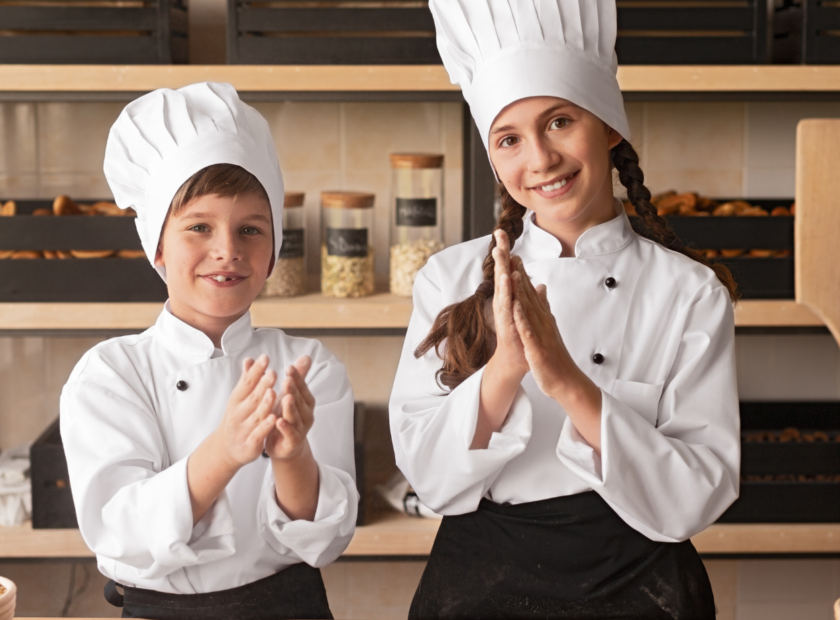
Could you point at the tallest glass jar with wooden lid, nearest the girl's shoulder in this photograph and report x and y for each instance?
(416, 216)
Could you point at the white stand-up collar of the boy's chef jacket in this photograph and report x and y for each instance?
(183, 339)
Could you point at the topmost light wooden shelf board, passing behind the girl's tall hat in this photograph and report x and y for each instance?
(397, 78)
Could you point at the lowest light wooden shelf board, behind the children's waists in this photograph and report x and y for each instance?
(398, 535)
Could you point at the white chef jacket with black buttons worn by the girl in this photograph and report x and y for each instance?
(670, 448)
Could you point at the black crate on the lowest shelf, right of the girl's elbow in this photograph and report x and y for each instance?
(785, 501)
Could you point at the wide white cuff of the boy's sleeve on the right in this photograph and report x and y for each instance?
(313, 541)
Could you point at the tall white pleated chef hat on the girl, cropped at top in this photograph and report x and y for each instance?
(500, 51)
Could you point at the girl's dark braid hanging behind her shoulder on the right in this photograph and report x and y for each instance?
(626, 162)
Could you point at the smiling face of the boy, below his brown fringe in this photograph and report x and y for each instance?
(217, 253)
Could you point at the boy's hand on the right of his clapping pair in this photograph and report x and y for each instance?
(295, 413)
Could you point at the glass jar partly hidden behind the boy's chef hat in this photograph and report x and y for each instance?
(289, 276)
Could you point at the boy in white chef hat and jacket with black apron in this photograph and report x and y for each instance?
(164, 431)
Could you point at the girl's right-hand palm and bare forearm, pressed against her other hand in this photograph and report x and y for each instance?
(554, 370)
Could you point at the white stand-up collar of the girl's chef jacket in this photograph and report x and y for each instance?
(537, 244)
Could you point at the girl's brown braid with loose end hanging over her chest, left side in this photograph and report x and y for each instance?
(463, 327)
